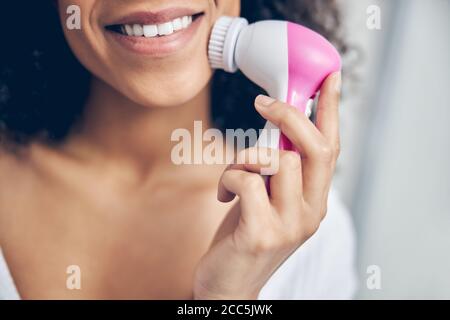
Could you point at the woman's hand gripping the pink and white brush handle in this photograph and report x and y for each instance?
(269, 228)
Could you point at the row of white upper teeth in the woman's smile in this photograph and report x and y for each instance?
(153, 30)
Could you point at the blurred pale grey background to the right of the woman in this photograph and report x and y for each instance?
(394, 171)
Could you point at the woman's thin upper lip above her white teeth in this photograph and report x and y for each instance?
(149, 17)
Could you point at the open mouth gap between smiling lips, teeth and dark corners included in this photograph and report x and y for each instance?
(156, 30)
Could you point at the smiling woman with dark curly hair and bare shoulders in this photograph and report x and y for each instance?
(87, 178)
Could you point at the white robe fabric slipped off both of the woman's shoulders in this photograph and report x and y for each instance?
(322, 268)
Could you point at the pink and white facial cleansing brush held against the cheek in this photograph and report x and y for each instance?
(290, 62)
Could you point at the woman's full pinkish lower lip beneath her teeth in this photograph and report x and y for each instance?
(158, 46)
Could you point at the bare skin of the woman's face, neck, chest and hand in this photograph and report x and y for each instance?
(110, 200)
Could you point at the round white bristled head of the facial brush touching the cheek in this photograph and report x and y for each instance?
(222, 43)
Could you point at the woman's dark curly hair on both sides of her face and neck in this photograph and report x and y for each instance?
(43, 87)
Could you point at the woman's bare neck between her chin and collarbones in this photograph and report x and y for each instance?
(116, 129)
